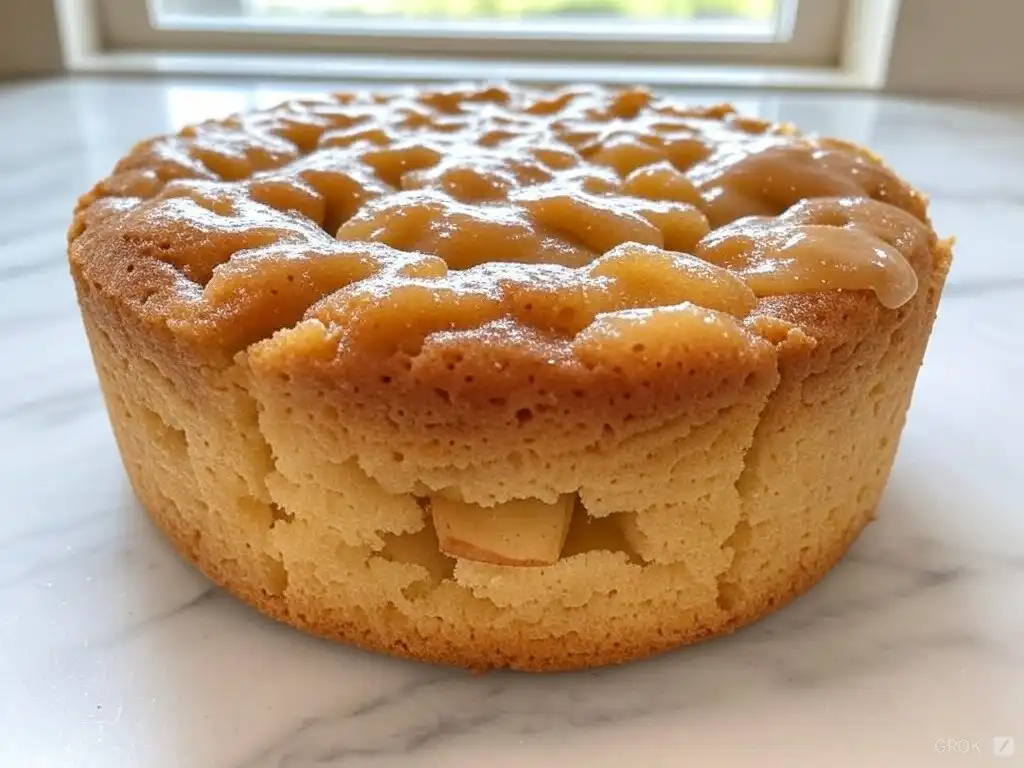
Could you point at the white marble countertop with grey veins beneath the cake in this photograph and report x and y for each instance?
(113, 653)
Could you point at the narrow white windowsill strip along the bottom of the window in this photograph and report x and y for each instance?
(424, 70)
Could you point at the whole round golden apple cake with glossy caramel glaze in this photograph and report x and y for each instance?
(496, 377)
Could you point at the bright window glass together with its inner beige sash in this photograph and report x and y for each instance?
(792, 33)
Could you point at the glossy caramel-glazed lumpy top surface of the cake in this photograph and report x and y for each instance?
(375, 221)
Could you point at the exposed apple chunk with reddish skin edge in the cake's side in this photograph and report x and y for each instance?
(523, 532)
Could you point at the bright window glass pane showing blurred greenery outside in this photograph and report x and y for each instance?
(724, 20)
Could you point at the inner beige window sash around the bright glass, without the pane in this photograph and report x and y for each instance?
(814, 39)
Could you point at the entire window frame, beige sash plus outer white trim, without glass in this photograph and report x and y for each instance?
(855, 57)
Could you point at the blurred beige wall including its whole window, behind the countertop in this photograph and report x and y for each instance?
(943, 48)
